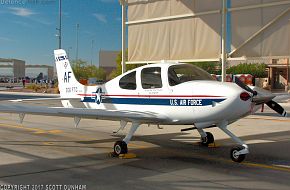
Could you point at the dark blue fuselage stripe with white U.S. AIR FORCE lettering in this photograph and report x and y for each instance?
(156, 101)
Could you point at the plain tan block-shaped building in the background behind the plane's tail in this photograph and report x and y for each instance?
(107, 60)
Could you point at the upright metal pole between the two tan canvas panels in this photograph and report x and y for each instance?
(224, 38)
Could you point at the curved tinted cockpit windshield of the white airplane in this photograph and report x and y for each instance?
(178, 74)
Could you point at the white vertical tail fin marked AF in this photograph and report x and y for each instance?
(68, 85)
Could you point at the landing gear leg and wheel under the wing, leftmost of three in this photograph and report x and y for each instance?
(120, 147)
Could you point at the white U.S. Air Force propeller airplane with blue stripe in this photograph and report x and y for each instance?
(161, 94)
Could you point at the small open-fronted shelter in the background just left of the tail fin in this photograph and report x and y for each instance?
(34, 71)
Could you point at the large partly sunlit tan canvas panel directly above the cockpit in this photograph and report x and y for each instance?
(190, 38)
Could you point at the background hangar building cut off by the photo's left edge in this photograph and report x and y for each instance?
(11, 69)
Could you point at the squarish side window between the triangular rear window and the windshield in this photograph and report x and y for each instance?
(151, 78)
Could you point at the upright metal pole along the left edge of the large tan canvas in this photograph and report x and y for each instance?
(123, 3)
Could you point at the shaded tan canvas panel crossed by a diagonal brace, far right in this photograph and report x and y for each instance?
(273, 41)
